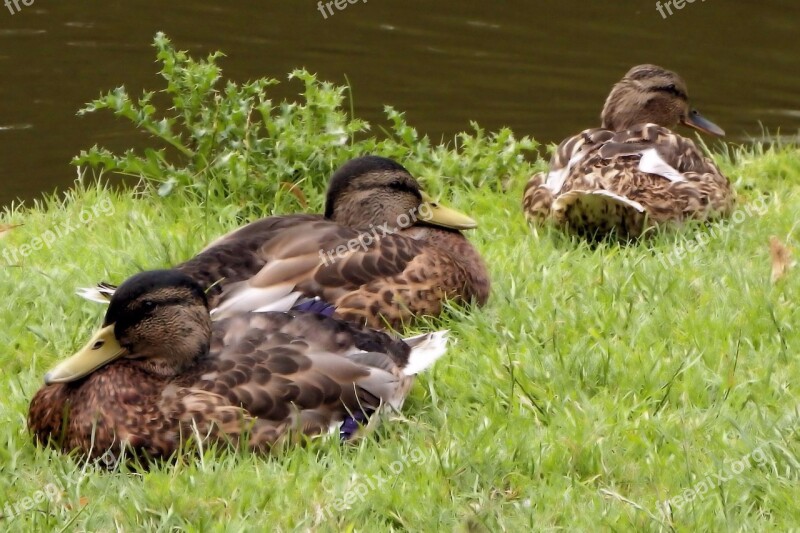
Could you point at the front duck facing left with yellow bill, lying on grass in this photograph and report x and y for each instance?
(159, 371)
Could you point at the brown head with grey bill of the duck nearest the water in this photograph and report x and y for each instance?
(651, 94)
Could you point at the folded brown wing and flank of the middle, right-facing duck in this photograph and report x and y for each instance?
(370, 278)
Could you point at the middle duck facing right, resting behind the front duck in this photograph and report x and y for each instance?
(382, 254)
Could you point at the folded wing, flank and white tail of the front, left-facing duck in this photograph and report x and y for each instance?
(284, 374)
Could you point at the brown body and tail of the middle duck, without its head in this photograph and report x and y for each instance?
(376, 277)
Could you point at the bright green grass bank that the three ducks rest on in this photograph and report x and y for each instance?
(595, 386)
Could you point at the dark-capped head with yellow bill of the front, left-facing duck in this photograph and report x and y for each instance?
(158, 320)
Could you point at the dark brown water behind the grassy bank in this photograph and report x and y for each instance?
(540, 67)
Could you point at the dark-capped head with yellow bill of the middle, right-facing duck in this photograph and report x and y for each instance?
(373, 190)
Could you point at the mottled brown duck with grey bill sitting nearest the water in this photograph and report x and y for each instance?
(633, 171)
